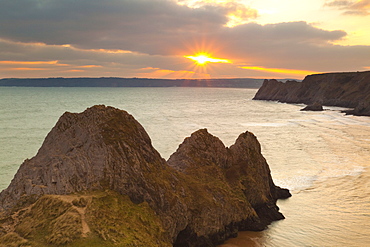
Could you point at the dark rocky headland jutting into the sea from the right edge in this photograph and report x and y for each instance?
(350, 89)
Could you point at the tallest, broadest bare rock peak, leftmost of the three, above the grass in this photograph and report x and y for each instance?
(86, 151)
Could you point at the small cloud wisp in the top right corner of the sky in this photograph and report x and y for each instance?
(351, 7)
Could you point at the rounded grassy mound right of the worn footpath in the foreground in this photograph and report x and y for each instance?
(118, 221)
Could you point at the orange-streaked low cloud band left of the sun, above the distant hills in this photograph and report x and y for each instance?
(102, 63)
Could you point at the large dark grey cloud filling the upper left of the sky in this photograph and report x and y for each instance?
(115, 24)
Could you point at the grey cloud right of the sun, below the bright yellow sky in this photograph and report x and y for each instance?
(293, 44)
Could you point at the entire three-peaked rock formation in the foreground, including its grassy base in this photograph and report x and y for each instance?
(204, 194)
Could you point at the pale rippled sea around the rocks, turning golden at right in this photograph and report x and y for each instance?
(323, 158)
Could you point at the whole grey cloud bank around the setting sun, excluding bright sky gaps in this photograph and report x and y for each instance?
(123, 37)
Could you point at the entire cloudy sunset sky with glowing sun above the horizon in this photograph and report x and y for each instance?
(176, 39)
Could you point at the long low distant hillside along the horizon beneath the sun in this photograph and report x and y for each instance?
(130, 82)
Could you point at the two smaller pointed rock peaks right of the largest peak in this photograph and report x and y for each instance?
(239, 168)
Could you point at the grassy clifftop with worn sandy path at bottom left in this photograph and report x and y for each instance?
(103, 218)
